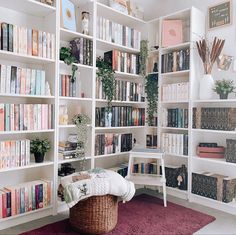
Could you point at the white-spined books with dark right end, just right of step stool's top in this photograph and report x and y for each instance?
(174, 143)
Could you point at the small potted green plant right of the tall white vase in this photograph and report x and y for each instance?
(224, 87)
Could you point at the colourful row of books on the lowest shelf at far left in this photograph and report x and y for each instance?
(25, 197)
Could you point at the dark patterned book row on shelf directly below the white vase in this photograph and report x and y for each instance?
(214, 118)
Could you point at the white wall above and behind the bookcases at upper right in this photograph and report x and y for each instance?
(154, 9)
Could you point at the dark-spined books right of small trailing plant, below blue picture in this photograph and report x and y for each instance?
(82, 50)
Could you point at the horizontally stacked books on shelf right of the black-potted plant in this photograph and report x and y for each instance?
(66, 150)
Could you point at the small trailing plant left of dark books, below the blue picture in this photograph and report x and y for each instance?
(69, 59)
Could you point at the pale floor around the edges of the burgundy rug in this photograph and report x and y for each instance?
(224, 223)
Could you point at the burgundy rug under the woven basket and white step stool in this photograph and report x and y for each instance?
(143, 215)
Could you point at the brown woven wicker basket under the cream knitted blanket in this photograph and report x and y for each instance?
(95, 215)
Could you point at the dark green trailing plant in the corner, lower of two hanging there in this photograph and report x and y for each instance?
(151, 89)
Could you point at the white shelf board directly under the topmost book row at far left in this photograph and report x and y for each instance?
(29, 59)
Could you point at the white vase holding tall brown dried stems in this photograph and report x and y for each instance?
(208, 52)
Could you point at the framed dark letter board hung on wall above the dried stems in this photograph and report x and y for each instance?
(220, 15)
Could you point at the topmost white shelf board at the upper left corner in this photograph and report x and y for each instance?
(31, 7)
